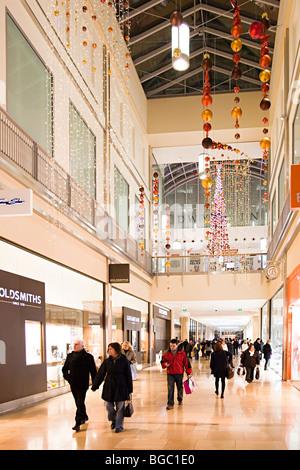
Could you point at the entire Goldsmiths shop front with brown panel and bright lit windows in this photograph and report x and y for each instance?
(72, 308)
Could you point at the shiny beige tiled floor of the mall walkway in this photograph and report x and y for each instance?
(263, 415)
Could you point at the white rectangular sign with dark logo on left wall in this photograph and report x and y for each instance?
(14, 202)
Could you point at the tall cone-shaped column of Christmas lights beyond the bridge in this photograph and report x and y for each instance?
(218, 240)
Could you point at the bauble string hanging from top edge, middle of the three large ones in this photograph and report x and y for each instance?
(236, 46)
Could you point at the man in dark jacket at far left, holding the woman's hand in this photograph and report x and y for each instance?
(76, 370)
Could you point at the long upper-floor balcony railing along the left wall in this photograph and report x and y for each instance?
(65, 192)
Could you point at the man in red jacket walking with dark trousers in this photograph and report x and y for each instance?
(176, 362)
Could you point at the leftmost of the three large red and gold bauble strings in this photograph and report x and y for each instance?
(207, 142)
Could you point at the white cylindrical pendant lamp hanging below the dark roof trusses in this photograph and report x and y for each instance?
(180, 42)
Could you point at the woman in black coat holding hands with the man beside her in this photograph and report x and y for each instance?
(116, 373)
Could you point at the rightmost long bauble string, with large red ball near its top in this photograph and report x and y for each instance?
(258, 30)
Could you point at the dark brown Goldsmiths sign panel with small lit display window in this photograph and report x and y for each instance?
(22, 307)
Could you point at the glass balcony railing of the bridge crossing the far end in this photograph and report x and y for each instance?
(203, 264)
